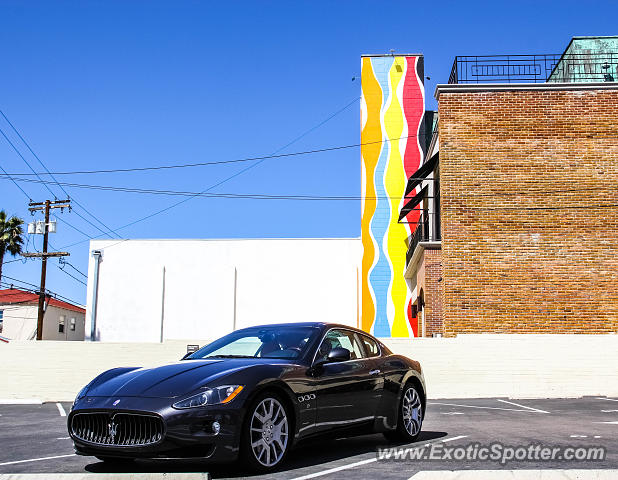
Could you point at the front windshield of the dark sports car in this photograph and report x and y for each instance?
(287, 342)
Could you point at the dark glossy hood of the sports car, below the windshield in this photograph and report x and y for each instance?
(169, 381)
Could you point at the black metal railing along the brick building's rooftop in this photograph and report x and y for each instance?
(569, 67)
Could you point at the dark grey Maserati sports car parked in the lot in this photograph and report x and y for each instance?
(254, 393)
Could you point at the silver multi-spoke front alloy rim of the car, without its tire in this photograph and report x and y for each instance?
(269, 432)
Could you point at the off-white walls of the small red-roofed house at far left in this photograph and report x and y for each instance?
(20, 323)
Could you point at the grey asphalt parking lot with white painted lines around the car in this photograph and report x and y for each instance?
(33, 438)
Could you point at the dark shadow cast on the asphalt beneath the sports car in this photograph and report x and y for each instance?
(308, 453)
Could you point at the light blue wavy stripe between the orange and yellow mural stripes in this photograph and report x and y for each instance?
(381, 275)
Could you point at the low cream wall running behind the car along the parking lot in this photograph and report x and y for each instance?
(517, 366)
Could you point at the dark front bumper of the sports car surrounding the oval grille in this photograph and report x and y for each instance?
(187, 433)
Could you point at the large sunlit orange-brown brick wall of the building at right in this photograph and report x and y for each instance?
(515, 260)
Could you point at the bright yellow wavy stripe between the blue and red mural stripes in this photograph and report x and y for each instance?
(395, 181)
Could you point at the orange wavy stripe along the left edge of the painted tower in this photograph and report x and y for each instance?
(372, 132)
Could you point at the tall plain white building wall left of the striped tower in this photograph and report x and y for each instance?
(176, 289)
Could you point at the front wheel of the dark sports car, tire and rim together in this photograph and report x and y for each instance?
(266, 436)
